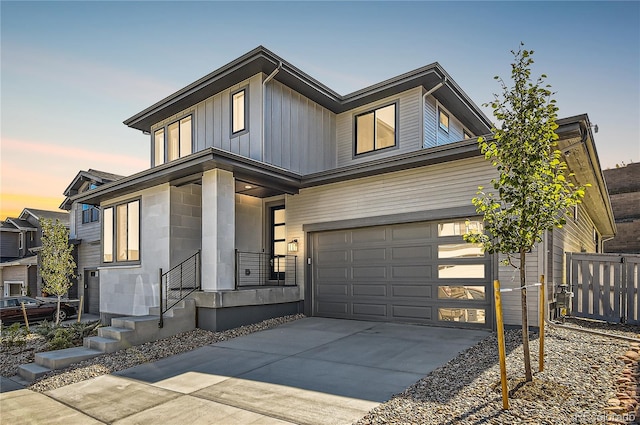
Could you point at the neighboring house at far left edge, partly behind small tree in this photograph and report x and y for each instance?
(20, 241)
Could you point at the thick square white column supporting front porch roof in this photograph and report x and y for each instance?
(218, 230)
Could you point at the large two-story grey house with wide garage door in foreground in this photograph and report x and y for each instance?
(301, 199)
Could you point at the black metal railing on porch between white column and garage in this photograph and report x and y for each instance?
(265, 269)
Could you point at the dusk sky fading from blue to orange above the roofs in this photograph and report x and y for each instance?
(71, 72)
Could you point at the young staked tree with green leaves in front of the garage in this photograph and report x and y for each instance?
(532, 193)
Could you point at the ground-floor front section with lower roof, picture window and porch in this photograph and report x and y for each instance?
(229, 210)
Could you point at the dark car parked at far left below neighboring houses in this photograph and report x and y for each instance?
(11, 309)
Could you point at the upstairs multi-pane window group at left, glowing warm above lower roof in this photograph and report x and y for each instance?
(173, 141)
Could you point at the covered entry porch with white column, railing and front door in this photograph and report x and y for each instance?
(248, 266)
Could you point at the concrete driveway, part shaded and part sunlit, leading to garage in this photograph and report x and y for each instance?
(311, 371)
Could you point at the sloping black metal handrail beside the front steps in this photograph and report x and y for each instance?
(178, 283)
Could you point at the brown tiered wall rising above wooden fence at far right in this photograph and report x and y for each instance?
(624, 190)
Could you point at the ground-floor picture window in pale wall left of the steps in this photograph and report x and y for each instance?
(121, 232)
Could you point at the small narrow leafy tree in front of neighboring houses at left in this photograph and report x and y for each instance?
(56, 260)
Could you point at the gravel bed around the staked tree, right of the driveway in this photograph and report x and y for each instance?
(583, 375)
